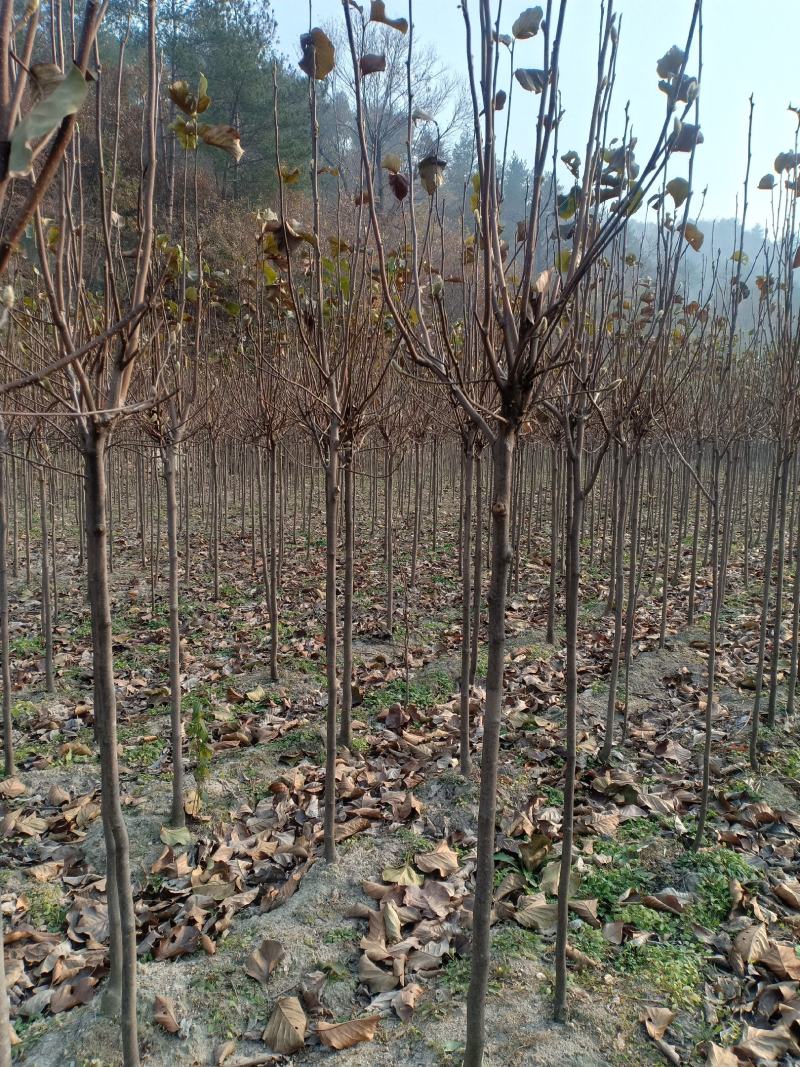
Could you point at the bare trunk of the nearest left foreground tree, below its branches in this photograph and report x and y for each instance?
(123, 941)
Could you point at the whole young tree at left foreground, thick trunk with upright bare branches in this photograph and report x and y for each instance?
(83, 363)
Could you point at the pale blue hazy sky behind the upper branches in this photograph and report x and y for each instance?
(747, 49)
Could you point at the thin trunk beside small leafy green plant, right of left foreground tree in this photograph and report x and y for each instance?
(178, 816)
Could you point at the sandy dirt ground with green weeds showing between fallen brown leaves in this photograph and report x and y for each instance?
(222, 1012)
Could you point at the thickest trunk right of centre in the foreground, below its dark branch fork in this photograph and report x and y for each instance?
(503, 455)
